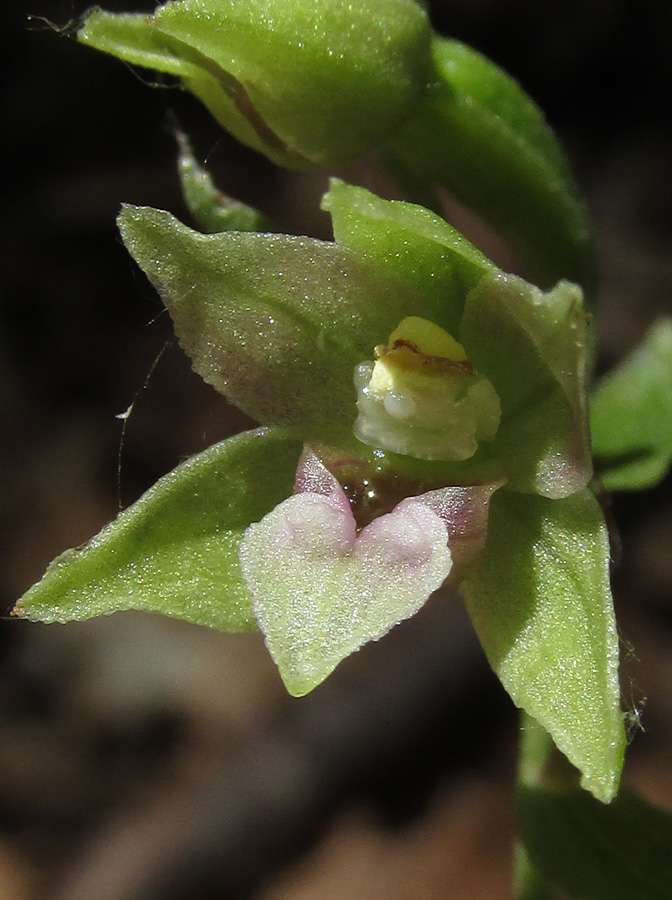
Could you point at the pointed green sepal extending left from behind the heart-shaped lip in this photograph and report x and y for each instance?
(175, 551)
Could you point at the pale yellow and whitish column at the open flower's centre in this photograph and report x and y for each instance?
(422, 397)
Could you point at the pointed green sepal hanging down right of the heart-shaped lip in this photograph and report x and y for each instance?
(541, 604)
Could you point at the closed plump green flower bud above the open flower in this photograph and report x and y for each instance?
(303, 81)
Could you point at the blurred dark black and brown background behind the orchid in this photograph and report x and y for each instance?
(143, 758)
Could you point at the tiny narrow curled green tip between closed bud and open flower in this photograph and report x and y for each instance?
(212, 210)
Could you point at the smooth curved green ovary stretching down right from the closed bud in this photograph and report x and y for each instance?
(478, 134)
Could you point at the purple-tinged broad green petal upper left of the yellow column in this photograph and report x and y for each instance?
(277, 324)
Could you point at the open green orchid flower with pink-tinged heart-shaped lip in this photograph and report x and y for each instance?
(279, 324)
